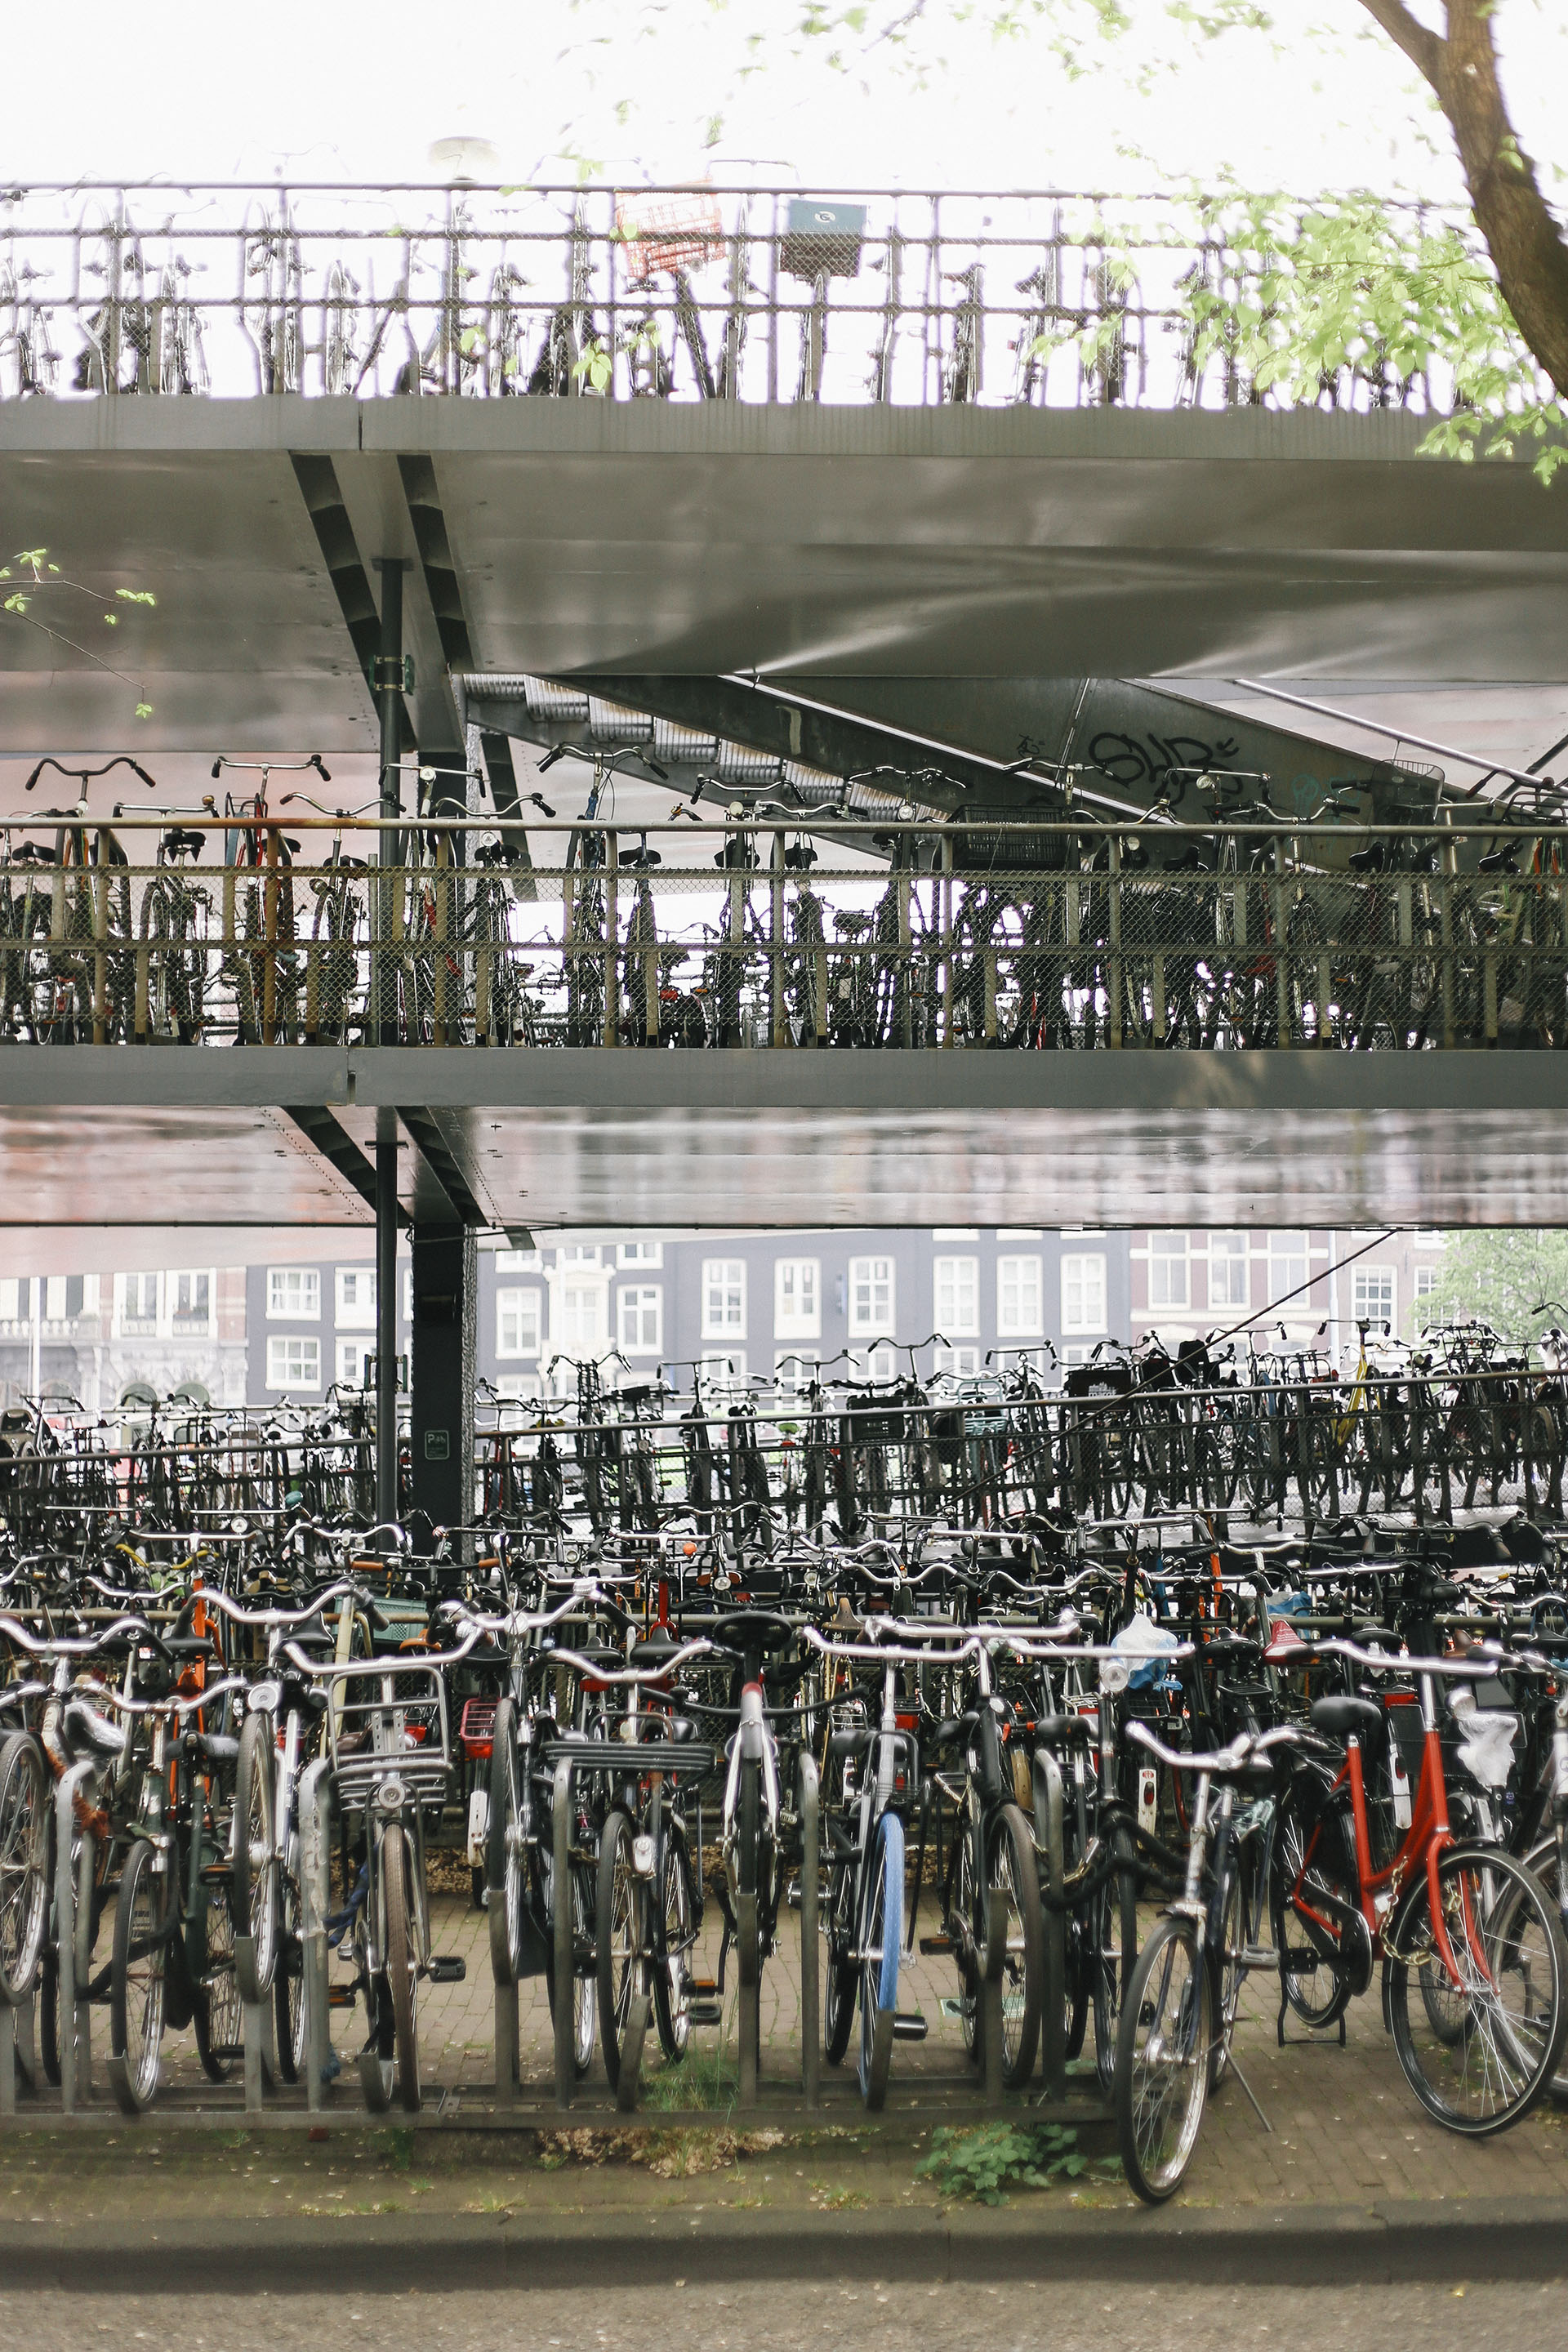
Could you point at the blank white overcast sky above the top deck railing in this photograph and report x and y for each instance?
(323, 91)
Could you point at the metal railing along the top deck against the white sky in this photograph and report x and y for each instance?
(760, 295)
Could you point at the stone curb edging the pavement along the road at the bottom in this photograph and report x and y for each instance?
(1454, 2240)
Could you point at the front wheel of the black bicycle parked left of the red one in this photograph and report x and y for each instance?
(1162, 2062)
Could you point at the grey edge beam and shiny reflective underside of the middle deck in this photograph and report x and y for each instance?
(751, 1140)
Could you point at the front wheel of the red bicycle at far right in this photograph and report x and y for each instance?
(1510, 1967)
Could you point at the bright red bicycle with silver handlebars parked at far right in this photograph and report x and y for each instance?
(1475, 1965)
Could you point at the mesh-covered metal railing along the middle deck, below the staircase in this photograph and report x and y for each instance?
(991, 935)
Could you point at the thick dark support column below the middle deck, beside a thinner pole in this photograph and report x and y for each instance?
(443, 1384)
